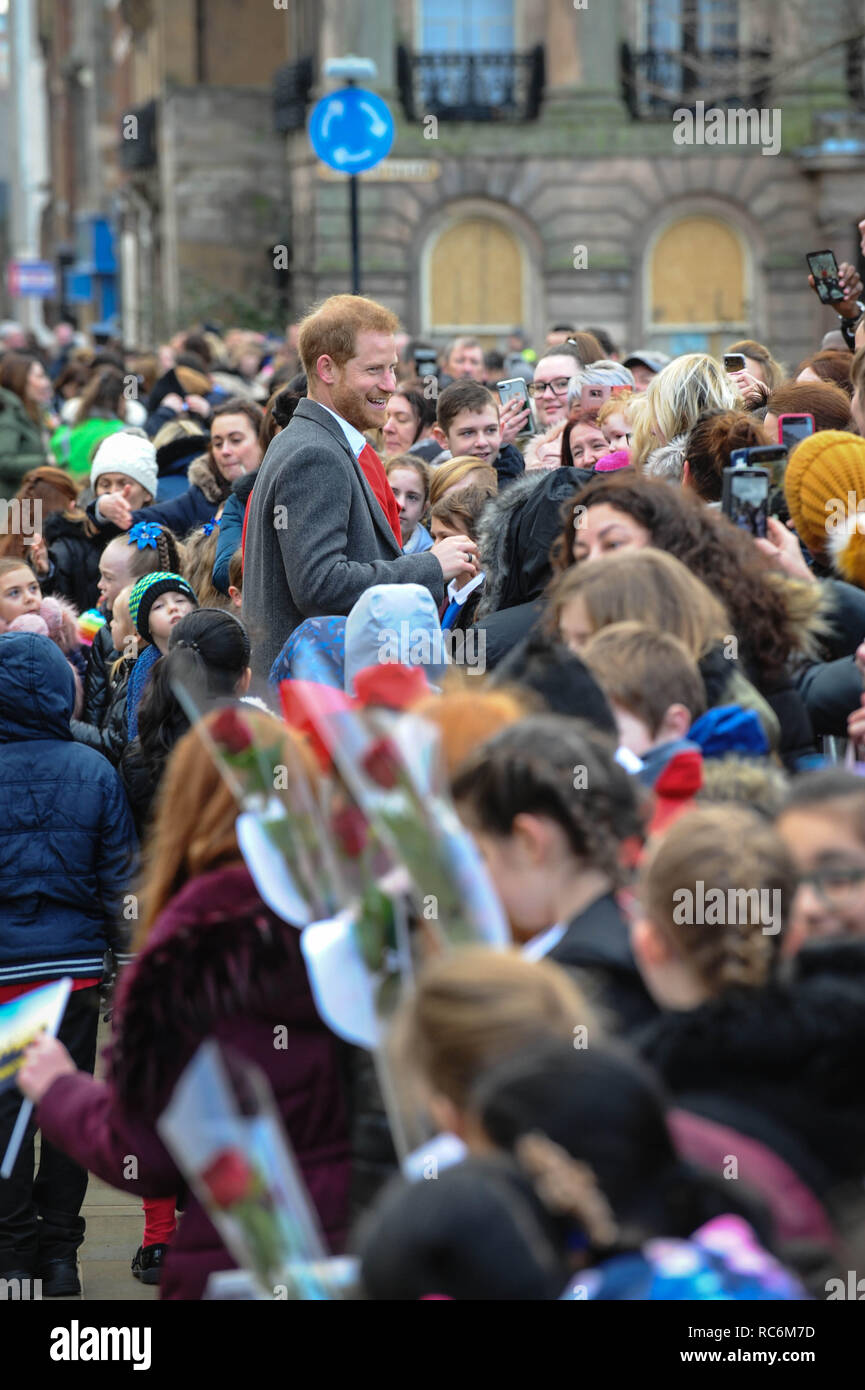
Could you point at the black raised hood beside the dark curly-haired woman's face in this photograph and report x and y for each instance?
(517, 532)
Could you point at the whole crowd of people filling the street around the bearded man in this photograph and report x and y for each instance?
(652, 725)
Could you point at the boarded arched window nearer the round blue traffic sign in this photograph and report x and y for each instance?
(476, 280)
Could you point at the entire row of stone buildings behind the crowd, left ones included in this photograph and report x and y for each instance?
(535, 177)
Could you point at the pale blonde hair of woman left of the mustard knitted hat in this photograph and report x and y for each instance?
(675, 400)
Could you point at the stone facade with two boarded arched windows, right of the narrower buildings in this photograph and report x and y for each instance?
(590, 211)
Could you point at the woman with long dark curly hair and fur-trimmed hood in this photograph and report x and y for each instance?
(774, 619)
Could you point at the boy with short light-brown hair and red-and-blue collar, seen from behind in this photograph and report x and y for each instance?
(656, 693)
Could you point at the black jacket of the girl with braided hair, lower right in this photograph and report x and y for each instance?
(782, 1064)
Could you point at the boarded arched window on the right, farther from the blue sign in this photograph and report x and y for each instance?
(697, 286)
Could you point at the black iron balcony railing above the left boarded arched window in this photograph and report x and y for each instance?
(471, 87)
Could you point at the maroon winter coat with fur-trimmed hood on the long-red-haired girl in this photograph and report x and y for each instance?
(218, 964)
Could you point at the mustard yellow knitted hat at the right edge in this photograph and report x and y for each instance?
(825, 489)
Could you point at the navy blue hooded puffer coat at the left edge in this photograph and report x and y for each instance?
(67, 842)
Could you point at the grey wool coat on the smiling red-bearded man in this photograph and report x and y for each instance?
(316, 537)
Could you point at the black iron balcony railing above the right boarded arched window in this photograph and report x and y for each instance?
(658, 83)
